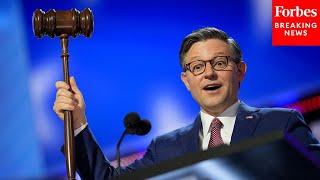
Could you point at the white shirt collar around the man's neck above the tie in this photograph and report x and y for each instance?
(224, 117)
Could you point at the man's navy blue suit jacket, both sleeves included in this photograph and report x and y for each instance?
(250, 122)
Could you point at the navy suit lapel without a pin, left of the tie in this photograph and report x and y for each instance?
(190, 137)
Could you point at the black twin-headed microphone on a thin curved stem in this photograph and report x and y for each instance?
(133, 125)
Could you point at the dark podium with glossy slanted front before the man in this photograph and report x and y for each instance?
(270, 156)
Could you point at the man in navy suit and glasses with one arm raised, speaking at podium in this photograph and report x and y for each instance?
(213, 70)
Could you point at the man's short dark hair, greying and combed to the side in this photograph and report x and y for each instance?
(204, 34)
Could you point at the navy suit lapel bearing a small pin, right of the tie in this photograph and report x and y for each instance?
(246, 122)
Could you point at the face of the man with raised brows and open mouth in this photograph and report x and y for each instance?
(213, 90)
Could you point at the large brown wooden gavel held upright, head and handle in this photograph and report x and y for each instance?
(64, 24)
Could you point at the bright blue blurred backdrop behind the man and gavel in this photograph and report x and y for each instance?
(129, 64)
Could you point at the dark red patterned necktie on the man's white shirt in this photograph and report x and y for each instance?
(215, 138)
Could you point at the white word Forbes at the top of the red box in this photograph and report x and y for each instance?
(295, 12)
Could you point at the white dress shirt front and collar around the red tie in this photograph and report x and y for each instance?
(228, 118)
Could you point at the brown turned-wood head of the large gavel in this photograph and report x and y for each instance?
(55, 23)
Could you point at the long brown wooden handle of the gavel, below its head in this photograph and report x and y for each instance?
(68, 126)
